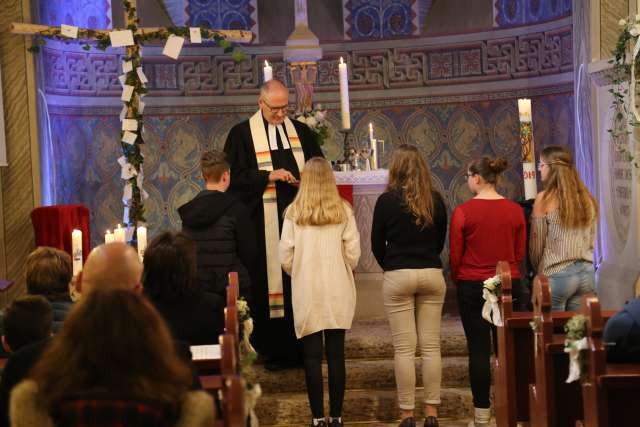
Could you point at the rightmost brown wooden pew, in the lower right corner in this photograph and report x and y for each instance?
(610, 392)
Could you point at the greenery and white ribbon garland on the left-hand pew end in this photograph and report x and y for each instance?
(248, 356)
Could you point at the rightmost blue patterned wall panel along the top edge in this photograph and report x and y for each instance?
(520, 12)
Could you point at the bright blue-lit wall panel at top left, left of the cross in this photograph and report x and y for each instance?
(81, 13)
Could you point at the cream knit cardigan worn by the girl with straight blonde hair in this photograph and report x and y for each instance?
(321, 260)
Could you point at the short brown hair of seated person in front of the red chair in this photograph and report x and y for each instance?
(49, 272)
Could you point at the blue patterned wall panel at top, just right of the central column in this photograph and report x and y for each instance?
(379, 19)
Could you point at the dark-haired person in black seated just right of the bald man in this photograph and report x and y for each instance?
(193, 315)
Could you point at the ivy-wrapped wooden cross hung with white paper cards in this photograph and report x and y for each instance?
(132, 152)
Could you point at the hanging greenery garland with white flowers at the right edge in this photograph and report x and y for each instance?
(623, 115)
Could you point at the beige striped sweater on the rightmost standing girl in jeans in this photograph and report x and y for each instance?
(553, 247)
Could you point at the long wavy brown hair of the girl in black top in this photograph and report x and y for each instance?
(409, 174)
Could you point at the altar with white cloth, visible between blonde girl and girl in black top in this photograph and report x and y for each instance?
(364, 187)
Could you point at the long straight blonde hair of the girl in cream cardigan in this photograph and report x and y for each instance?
(318, 201)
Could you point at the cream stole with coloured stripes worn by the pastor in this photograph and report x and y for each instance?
(269, 201)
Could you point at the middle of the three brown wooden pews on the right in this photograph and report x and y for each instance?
(552, 402)
